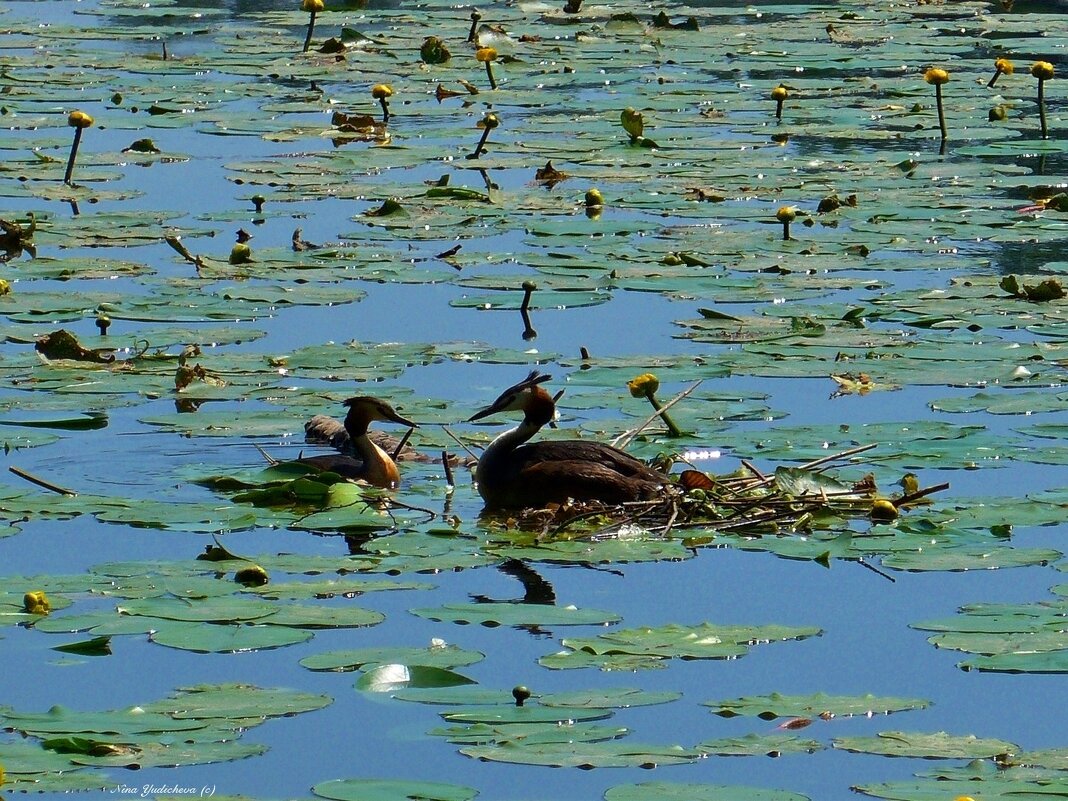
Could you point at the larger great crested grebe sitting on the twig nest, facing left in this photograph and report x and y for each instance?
(512, 475)
